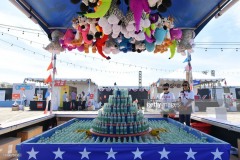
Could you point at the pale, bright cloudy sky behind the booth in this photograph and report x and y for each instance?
(17, 60)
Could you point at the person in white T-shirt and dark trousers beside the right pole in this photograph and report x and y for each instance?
(186, 97)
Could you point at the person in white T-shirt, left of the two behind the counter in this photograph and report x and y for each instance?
(166, 98)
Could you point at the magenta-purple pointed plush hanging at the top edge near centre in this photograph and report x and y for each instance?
(137, 7)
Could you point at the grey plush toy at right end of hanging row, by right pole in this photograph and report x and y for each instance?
(186, 43)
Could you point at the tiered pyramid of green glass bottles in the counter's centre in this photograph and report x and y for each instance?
(120, 116)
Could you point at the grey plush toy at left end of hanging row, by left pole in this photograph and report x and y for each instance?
(54, 46)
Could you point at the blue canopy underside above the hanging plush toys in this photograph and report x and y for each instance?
(186, 13)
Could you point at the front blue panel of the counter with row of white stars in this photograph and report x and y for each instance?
(115, 152)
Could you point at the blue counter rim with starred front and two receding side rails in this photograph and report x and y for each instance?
(213, 149)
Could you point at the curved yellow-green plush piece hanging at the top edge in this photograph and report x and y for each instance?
(101, 10)
